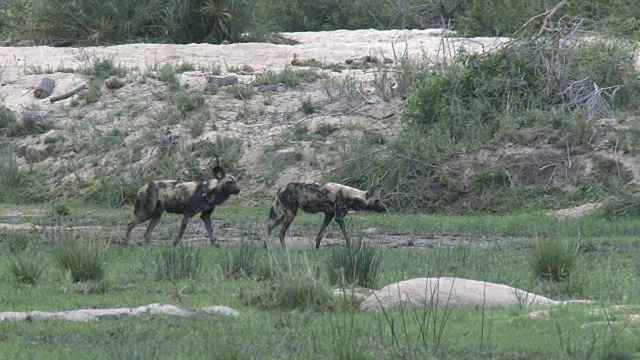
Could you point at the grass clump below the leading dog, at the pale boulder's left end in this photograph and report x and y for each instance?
(355, 264)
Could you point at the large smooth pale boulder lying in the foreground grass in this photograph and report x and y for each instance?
(450, 291)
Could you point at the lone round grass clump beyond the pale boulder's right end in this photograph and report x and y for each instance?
(554, 260)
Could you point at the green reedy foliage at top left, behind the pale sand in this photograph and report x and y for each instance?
(99, 22)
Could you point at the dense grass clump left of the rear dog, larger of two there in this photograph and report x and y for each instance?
(83, 258)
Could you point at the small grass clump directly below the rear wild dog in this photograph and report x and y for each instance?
(178, 263)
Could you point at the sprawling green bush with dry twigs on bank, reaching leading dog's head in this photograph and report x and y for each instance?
(481, 101)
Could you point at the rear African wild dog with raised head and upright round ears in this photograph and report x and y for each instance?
(187, 198)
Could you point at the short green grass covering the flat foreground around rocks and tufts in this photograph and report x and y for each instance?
(296, 320)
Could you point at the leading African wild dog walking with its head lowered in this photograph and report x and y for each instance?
(334, 200)
